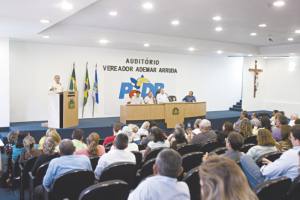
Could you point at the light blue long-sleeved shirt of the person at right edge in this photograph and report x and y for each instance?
(287, 165)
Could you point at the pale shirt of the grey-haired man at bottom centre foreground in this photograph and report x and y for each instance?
(160, 187)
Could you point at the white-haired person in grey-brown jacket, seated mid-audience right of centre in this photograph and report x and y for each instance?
(206, 135)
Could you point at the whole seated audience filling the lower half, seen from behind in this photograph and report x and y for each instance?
(275, 134)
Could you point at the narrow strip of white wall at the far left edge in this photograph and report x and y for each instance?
(4, 82)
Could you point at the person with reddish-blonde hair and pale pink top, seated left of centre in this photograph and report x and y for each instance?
(93, 148)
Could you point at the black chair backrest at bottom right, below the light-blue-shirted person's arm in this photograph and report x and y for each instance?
(274, 189)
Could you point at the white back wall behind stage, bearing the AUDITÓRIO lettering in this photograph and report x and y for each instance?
(216, 80)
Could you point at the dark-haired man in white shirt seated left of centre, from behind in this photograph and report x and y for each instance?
(116, 154)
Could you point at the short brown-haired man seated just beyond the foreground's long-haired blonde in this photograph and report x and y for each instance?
(234, 142)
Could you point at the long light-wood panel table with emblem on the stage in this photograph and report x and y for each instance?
(172, 113)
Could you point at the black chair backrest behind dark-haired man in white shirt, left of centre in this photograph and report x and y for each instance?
(125, 171)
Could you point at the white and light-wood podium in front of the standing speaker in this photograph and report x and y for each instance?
(63, 110)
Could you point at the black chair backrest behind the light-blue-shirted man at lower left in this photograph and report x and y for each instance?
(70, 184)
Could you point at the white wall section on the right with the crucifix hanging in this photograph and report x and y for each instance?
(278, 85)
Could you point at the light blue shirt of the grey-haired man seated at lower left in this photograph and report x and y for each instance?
(63, 164)
